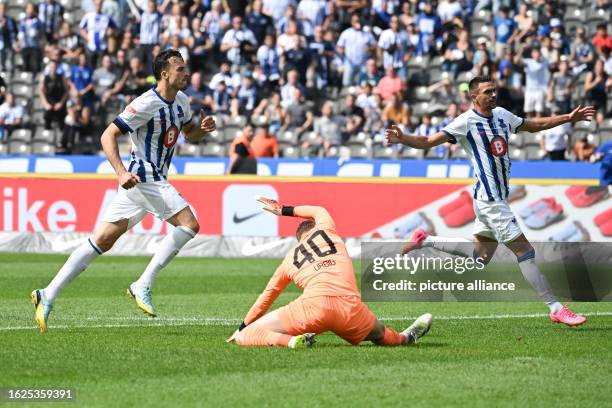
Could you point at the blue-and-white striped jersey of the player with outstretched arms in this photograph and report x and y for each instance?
(485, 140)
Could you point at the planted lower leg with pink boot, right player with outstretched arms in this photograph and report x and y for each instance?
(525, 253)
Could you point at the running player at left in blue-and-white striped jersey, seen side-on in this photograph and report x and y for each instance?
(154, 121)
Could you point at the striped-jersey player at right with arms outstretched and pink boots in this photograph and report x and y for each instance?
(483, 132)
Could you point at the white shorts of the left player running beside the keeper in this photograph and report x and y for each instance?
(159, 198)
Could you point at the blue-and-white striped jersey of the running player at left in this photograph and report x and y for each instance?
(154, 124)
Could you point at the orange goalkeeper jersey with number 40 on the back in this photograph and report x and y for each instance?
(319, 264)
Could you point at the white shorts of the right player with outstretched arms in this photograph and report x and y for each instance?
(496, 220)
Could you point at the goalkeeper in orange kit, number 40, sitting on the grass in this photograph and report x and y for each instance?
(319, 264)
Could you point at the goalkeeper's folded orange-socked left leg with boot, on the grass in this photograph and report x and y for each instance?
(269, 330)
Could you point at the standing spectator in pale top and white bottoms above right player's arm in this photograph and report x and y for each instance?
(536, 78)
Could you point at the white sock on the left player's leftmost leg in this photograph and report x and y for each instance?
(76, 263)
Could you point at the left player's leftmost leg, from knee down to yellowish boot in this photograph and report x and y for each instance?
(104, 238)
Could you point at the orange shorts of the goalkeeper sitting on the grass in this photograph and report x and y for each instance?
(346, 316)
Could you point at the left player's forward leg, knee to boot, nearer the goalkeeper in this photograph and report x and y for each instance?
(187, 227)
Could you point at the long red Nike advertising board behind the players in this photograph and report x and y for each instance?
(51, 213)
